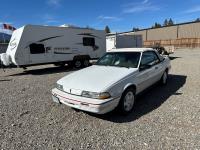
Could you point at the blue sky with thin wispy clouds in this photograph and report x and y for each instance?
(119, 15)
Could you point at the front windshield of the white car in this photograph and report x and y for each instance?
(120, 59)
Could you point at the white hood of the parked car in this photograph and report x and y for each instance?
(94, 79)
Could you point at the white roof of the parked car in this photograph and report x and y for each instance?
(130, 50)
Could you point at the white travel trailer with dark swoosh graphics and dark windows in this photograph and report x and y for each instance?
(35, 45)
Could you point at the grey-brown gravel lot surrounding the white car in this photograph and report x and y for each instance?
(164, 117)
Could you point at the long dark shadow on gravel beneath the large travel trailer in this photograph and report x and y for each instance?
(44, 71)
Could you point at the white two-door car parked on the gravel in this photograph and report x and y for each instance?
(113, 82)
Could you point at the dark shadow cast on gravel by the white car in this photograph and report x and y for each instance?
(148, 101)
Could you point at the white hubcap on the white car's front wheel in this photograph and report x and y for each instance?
(129, 100)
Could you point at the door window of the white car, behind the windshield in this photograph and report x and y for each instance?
(149, 58)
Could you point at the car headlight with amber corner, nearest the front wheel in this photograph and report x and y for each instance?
(95, 95)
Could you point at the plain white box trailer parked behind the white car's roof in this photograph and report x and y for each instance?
(114, 41)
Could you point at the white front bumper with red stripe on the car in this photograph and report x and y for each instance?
(85, 104)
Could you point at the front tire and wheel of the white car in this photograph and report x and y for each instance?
(127, 101)
